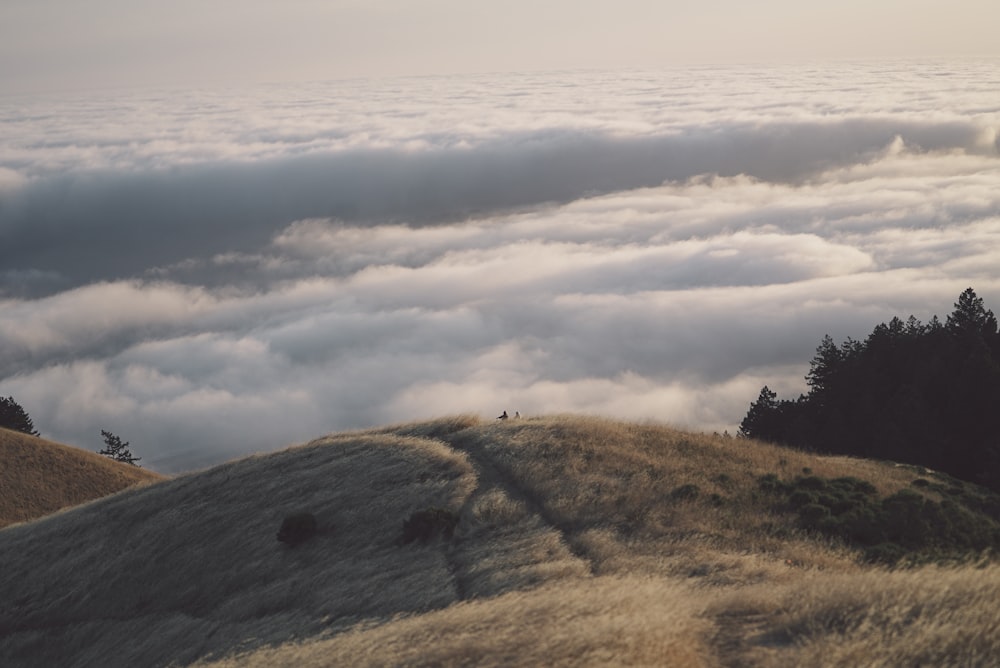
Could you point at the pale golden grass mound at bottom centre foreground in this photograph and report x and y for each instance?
(611, 621)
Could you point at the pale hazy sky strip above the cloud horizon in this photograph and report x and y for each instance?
(60, 44)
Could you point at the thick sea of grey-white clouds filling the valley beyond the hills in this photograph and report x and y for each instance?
(209, 273)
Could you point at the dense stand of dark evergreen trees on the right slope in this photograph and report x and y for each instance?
(921, 393)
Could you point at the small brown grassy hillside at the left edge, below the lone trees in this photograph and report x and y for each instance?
(39, 477)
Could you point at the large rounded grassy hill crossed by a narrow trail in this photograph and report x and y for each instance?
(579, 541)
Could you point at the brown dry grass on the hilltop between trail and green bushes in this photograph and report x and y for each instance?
(616, 490)
